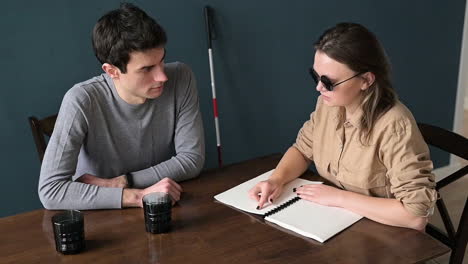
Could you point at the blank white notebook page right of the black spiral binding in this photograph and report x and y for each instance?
(313, 220)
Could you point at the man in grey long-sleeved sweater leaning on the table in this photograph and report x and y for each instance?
(133, 130)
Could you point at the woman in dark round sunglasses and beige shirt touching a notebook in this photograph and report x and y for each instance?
(360, 137)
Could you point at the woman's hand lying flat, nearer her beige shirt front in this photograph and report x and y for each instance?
(321, 194)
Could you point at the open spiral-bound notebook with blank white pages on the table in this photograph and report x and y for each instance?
(303, 217)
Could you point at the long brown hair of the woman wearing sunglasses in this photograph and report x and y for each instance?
(354, 45)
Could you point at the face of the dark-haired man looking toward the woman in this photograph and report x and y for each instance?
(145, 76)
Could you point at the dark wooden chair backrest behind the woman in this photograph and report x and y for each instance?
(457, 145)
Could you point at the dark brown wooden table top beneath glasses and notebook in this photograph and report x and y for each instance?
(205, 231)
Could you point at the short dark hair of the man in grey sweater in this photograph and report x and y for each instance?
(122, 31)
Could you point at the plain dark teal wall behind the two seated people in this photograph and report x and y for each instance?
(261, 57)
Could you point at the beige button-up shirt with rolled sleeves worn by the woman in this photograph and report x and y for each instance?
(394, 164)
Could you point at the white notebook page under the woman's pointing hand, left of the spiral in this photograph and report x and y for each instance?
(238, 196)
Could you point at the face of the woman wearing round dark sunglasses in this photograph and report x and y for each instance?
(345, 94)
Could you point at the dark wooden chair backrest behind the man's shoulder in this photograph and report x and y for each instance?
(40, 129)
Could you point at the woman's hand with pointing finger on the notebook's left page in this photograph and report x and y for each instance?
(265, 191)
